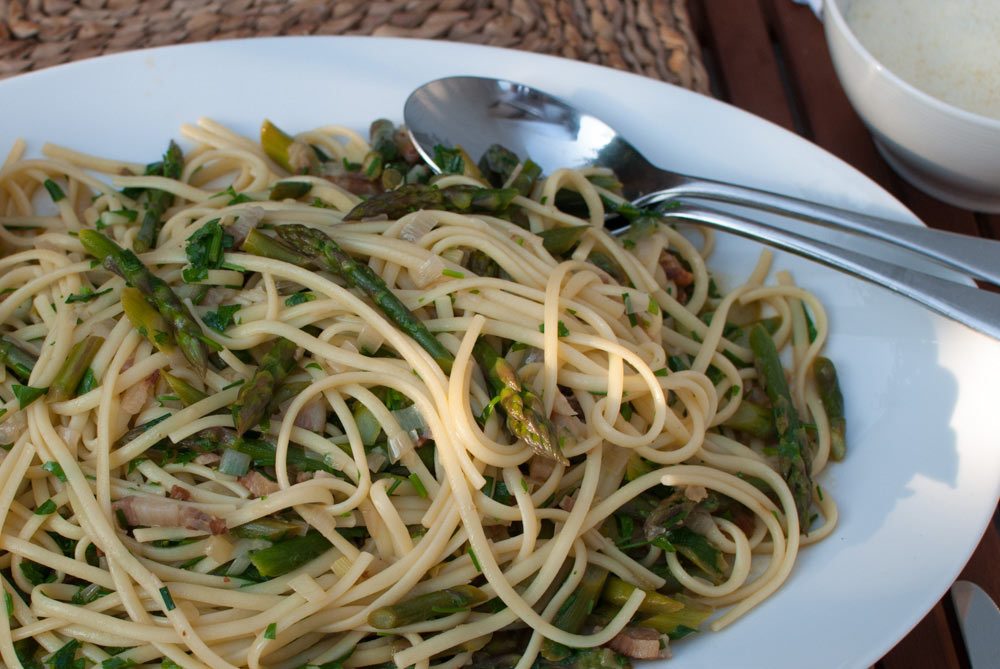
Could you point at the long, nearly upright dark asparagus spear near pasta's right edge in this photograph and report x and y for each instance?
(792, 444)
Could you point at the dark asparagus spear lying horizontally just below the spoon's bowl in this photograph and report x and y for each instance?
(413, 197)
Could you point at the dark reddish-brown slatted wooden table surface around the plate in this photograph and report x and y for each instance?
(770, 57)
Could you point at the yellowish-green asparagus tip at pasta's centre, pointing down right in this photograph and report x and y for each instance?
(525, 412)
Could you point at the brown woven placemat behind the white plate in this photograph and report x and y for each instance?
(649, 37)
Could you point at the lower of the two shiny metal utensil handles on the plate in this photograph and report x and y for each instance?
(979, 309)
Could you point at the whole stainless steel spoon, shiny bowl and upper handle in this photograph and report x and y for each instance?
(475, 112)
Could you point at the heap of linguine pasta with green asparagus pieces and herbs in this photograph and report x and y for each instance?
(137, 526)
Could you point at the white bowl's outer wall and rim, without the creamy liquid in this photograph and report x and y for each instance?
(948, 152)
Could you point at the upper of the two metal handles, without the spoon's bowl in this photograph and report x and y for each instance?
(979, 258)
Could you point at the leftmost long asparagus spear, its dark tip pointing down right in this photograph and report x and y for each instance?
(181, 325)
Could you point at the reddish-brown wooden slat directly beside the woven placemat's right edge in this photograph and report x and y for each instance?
(746, 60)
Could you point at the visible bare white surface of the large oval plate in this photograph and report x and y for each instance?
(923, 473)
